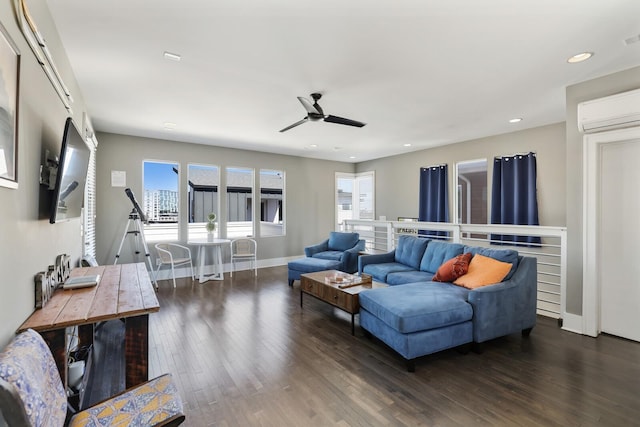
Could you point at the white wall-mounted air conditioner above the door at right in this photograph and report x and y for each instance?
(611, 112)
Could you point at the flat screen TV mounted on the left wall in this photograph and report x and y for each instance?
(68, 194)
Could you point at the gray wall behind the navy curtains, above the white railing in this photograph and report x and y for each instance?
(397, 178)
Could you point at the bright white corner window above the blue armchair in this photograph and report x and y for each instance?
(355, 196)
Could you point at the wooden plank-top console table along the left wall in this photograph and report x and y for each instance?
(124, 292)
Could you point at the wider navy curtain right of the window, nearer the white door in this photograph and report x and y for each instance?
(514, 196)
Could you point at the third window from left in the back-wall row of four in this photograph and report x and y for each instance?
(239, 202)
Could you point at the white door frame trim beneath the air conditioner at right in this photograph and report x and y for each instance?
(593, 145)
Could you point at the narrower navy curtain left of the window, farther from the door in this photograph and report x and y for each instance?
(434, 197)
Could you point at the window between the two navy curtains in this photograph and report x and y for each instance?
(471, 192)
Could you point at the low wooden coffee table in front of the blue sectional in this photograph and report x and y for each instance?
(346, 298)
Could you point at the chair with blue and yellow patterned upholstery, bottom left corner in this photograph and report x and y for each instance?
(32, 393)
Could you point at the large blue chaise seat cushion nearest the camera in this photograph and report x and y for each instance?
(418, 306)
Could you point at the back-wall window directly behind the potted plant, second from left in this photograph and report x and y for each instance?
(204, 198)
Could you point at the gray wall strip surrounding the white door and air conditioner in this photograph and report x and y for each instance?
(596, 88)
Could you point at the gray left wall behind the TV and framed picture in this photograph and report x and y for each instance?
(28, 243)
